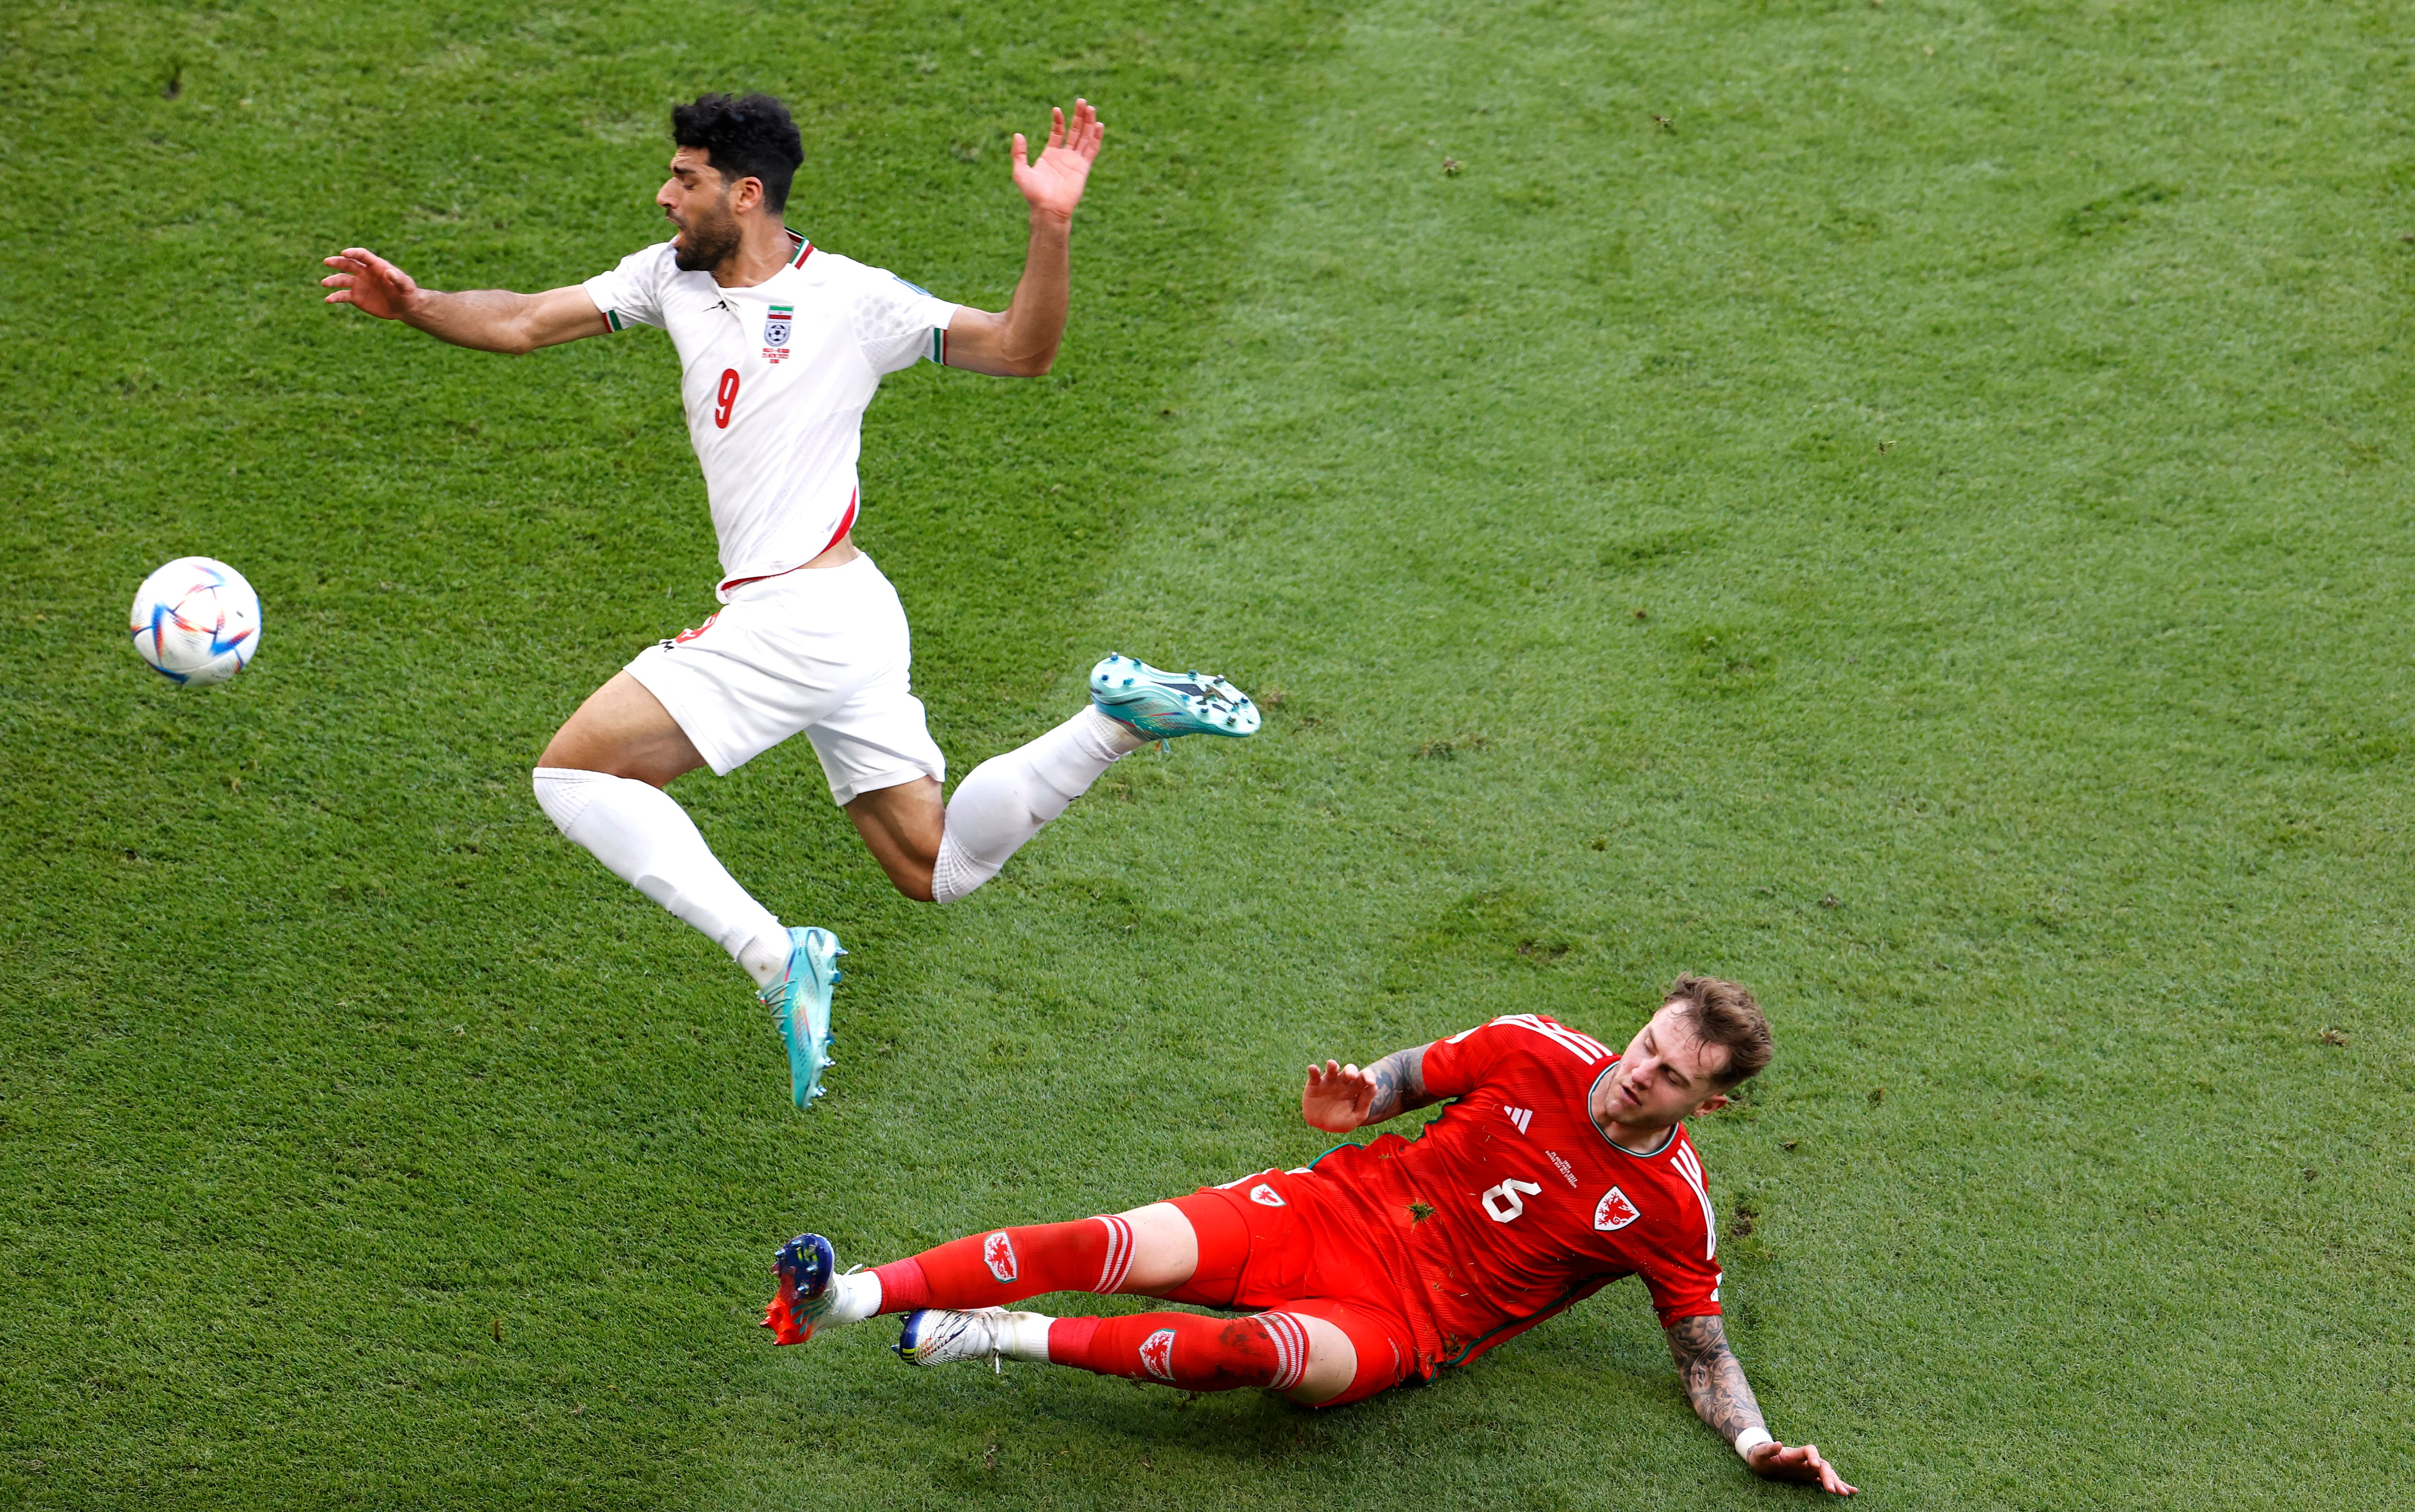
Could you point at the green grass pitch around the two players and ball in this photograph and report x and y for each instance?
(1897, 504)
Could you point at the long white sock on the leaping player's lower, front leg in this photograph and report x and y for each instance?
(648, 842)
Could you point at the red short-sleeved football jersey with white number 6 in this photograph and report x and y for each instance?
(1513, 1204)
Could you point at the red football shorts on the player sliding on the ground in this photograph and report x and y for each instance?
(1271, 1243)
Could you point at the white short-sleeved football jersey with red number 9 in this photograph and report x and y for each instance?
(776, 380)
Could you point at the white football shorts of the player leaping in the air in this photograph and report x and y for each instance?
(822, 651)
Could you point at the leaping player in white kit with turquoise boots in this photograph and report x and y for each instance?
(781, 349)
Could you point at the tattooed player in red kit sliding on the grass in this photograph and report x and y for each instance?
(1556, 1170)
